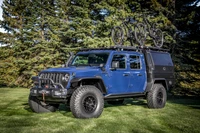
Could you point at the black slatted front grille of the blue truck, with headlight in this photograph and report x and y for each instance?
(56, 77)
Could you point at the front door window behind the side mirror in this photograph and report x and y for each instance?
(120, 60)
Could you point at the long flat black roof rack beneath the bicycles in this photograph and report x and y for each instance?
(126, 48)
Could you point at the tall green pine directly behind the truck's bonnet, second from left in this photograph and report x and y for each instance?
(42, 47)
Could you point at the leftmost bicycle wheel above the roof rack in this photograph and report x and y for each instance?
(117, 35)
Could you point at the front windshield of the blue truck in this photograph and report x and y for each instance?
(90, 59)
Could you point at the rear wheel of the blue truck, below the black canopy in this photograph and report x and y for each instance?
(157, 97)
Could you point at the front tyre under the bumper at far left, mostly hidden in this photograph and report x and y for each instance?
(40, 107)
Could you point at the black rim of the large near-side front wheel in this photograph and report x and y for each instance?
(89, 104)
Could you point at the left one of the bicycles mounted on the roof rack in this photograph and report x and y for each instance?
(124, 32)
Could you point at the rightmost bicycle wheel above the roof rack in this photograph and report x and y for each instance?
(158, 39)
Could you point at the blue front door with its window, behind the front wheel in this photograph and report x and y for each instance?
(119, 74)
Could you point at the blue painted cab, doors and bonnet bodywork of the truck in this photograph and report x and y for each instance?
(117, 81)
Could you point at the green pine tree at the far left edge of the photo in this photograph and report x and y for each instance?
(13, 24)
